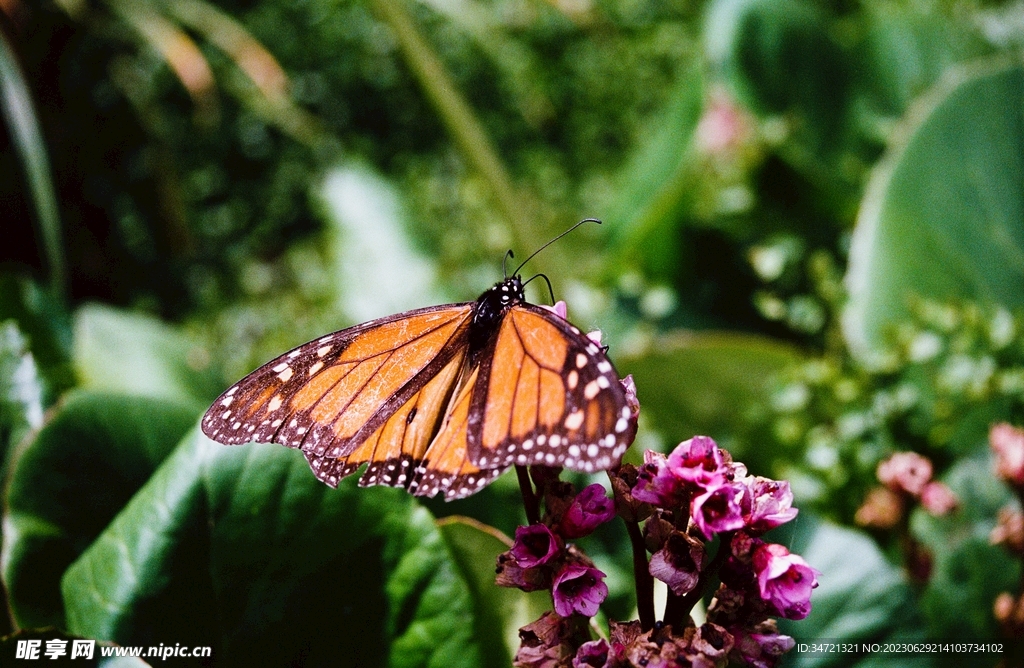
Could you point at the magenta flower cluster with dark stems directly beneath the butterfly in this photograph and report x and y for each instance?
(684, 502)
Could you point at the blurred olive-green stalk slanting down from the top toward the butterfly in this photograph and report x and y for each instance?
(457, 115)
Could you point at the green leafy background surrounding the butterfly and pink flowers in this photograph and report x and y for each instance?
(813, 250)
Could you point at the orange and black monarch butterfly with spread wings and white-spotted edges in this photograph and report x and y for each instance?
(438, 400)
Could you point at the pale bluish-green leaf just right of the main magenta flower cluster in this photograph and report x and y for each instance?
(861, 598)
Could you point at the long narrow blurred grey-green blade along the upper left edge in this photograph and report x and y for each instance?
(16, 103)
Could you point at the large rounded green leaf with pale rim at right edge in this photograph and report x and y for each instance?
(944, 217)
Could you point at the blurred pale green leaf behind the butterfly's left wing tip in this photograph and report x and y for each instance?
(125, 352)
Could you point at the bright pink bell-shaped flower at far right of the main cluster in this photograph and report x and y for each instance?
(785, 580)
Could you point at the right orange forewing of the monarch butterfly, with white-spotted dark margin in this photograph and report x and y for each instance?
(548, 395)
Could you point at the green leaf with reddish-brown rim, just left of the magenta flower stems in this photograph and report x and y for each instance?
(501, 612)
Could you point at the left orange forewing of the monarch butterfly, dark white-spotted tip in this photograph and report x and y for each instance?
(333, 393)
